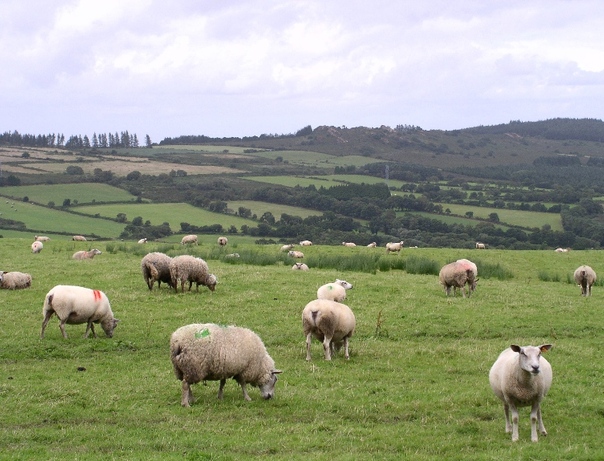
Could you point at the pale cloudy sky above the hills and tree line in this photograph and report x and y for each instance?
(235, 68)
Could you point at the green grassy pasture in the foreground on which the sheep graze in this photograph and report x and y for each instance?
(415, 387)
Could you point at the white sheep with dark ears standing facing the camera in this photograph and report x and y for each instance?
(520, 377)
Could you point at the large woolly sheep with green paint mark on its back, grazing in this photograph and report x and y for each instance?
(210, 352)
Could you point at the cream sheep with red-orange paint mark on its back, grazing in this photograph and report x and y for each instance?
(75, 305)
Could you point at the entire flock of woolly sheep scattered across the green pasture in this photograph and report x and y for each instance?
(520, 376)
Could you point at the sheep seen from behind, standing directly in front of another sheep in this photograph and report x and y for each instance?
(331, 322)
